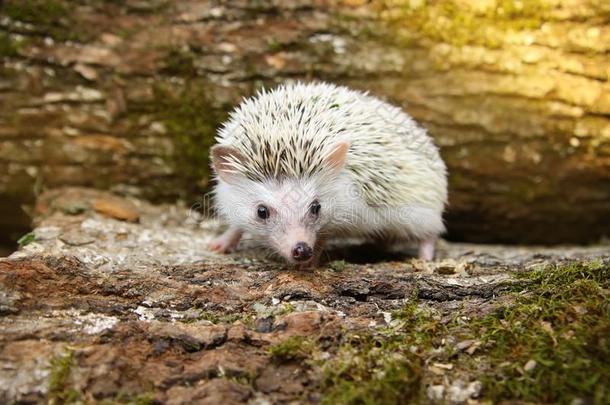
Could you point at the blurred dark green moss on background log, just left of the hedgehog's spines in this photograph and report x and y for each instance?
(191, 120)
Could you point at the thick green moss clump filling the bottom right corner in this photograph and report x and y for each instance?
(562, 322)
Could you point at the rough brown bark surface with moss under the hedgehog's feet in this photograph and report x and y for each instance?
(117, 301)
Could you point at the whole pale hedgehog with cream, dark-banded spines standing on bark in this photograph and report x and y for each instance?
(305, 162)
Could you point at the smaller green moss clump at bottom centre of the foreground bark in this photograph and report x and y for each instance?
(385, 366)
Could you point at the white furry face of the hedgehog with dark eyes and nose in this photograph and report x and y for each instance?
(287, 215)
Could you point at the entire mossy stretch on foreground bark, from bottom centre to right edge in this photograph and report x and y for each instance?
(548, 343)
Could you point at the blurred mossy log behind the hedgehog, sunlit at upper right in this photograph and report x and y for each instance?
(127, 95)
